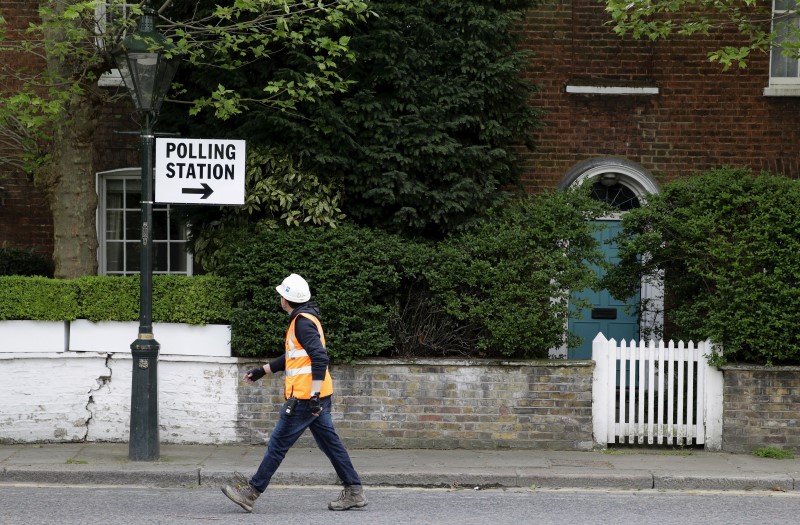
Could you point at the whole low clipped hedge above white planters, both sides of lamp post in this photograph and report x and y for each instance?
(176, 299)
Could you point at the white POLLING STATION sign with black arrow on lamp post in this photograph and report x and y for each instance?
(200, 171)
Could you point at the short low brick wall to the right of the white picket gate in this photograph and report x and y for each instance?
(761, 407)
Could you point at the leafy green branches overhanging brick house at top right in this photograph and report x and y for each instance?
(663, 19)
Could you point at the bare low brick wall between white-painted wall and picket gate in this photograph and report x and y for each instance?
(441, 404)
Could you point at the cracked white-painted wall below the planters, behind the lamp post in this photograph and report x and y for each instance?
(85, 396)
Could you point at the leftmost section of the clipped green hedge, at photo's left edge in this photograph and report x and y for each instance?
(37, 298)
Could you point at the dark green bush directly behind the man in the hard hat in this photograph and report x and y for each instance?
(352, 277)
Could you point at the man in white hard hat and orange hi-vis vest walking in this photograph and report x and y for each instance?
(308, 389)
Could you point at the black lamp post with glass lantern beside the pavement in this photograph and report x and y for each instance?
(147, 63)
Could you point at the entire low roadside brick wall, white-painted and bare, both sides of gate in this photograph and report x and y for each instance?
(379, 403)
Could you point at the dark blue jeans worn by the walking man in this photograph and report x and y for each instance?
(288, 431)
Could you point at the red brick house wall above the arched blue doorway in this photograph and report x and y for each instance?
(701, 118)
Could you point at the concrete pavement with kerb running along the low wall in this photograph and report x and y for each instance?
(212, 465)
